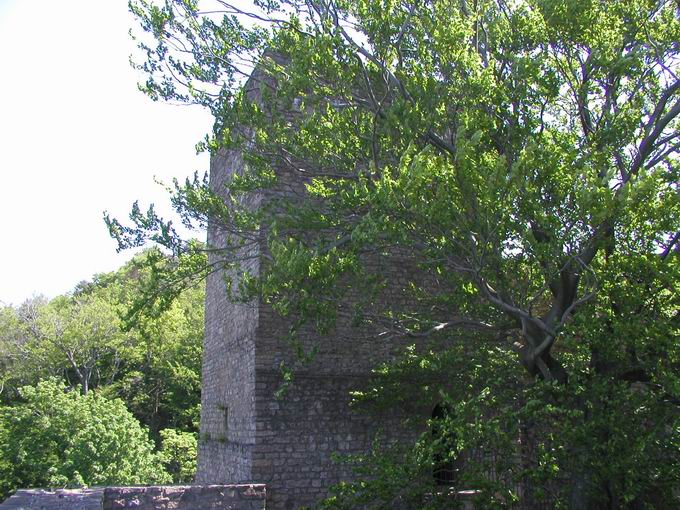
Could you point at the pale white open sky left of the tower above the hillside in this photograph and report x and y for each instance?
(77, 138)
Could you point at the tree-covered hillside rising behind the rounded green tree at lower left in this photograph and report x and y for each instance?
(88, 339)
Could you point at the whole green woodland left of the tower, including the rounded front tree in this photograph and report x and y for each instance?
(94, 392)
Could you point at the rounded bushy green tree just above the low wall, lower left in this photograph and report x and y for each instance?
(57, 437)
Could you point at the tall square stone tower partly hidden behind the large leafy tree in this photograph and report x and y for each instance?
(247, 435)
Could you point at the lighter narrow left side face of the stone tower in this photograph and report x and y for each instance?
(227, 431)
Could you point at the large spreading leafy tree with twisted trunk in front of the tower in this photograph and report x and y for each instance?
(522, 155)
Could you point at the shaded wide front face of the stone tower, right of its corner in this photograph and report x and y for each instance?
(297, 435)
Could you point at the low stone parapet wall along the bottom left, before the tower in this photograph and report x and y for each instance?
(186, 497)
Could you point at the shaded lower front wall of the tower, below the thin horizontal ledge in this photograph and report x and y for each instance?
(298, 436)
